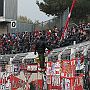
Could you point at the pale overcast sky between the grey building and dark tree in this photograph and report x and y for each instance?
(31, 10)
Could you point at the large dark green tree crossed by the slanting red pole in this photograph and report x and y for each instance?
(57, 7)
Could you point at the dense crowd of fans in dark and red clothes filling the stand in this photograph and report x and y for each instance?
(25, 41)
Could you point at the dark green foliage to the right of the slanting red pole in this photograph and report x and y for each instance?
(81, 10)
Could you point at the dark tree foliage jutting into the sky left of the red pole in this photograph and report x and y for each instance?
(52, 7)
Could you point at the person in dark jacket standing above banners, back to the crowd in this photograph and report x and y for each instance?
(40, 47)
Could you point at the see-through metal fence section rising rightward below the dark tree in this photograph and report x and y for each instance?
(59, 22)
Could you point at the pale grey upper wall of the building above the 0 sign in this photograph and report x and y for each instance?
(8, 10)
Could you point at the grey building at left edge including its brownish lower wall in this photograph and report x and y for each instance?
(8, 10)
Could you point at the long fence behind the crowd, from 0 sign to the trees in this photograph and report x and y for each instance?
(59, 22)
